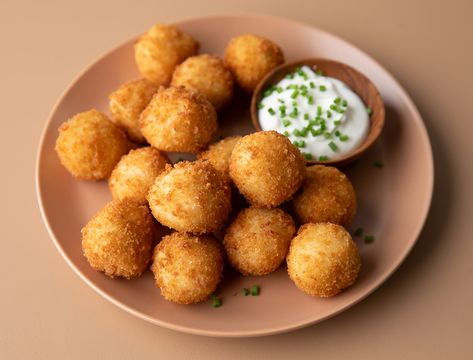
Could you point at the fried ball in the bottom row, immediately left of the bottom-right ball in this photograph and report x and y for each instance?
(257, 241)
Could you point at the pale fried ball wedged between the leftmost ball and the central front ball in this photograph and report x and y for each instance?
(136, 172)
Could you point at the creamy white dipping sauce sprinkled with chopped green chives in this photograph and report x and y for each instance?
(321, 115)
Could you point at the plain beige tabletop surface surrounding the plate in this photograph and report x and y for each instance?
(425, 311)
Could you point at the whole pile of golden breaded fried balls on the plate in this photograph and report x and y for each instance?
(173, 108)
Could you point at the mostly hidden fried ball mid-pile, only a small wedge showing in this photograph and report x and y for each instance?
(219, 153)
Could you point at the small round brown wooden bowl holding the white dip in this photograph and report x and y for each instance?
(359, 83)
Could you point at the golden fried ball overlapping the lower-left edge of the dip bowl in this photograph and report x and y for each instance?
(266, 168)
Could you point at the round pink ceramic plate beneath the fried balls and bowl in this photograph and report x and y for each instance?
(393, 201)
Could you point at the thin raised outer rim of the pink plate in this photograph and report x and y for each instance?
(241, 333)
